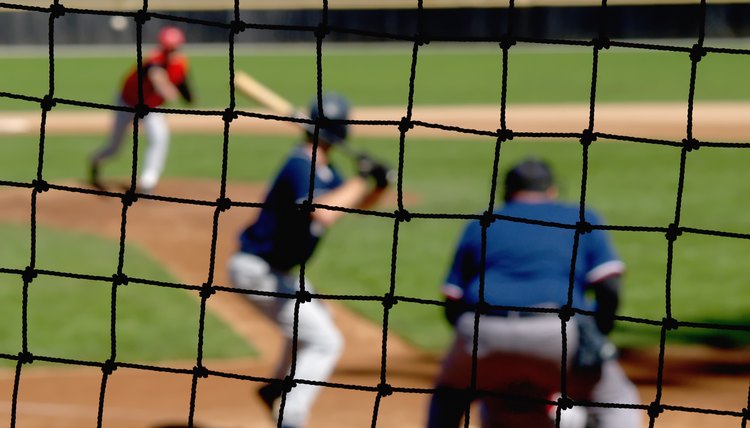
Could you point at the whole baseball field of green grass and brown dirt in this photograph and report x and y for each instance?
(636, 186)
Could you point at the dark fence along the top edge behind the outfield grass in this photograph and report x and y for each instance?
(656, 21)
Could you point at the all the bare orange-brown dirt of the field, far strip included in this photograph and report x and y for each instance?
(695, 377)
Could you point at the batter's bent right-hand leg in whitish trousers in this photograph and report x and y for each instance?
(319, 345)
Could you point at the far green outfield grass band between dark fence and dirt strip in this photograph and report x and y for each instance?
(376, 76)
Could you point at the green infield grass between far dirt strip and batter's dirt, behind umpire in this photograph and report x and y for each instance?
(629, 184)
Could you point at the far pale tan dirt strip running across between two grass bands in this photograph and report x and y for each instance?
(719, 121)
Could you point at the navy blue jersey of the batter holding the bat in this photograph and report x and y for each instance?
(284, 235)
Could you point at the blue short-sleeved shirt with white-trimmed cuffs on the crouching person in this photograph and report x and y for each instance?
(529, 265)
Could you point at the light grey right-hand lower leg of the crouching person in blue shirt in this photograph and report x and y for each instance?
(614, 387)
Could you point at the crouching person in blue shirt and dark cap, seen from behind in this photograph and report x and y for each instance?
(527, 266)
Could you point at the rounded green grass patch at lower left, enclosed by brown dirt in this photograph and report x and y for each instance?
(70, 318)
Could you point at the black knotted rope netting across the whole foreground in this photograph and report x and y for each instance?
(502, 135)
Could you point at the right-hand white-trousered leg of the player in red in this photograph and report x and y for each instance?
(155, 156)
